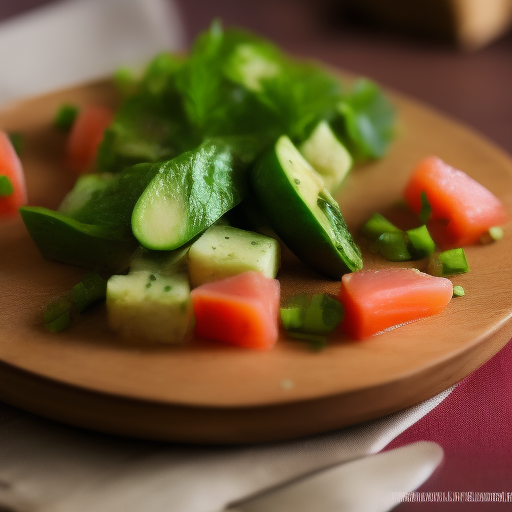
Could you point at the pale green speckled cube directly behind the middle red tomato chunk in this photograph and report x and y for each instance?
(224, 251)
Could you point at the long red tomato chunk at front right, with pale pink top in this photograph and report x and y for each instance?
(375, 300)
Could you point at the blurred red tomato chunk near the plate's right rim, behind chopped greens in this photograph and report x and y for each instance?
(462, 209)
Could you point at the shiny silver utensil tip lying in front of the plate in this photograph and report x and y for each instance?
(371, 484)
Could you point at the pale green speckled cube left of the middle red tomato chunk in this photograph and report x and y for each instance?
(152, 303)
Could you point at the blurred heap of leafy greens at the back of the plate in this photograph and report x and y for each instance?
(234, 83)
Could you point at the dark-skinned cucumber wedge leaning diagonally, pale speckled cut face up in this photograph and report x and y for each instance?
(302, 211)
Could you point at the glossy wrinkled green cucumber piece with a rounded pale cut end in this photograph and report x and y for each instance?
(191, 192)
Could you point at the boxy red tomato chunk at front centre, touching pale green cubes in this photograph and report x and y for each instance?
(242, 310)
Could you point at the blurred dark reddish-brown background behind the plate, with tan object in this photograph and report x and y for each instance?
(455, 55)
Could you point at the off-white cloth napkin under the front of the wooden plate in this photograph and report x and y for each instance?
(48, 467)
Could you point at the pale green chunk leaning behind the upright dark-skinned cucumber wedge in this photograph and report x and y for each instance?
(328, 156)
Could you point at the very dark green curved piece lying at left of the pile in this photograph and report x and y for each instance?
(64, 239)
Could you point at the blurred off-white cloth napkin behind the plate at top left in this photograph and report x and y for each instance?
(72, 42)
